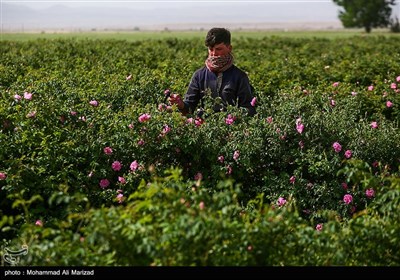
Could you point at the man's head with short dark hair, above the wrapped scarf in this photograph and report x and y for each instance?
(218, 41)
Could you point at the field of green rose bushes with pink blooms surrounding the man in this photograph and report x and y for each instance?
(96, 169)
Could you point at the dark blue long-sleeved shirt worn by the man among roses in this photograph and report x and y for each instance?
(235, 90)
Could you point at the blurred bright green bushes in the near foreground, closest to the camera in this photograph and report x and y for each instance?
(172, 223)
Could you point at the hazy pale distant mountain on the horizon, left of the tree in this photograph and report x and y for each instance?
(17, 17)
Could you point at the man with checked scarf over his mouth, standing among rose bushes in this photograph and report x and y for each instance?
(219, 77)
